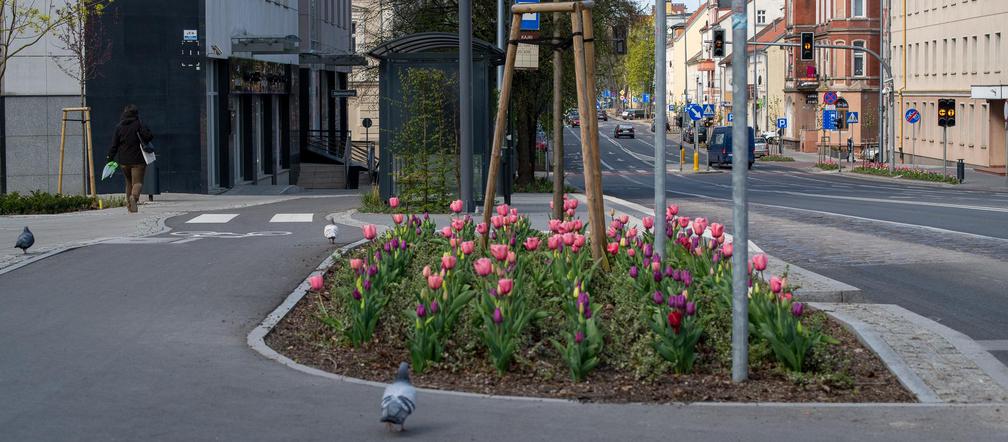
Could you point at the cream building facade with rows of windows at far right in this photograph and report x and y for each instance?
(952, 50)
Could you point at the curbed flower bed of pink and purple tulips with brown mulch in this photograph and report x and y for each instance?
(532, 314)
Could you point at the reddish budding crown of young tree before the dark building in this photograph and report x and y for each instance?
(82, 35)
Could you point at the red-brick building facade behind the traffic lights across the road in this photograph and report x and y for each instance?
(854, 76)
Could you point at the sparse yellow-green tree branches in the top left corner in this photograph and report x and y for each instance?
(23, 25)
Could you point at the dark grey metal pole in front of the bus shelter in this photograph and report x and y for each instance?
(466, 100)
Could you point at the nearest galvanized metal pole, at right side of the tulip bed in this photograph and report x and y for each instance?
(740, 209)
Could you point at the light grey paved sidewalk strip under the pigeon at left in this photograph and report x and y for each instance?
(58, 233)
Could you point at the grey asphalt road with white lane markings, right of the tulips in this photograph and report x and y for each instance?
(940, 252)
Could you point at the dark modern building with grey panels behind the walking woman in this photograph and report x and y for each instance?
(219, 82)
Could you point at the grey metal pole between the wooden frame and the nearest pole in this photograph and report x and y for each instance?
(661, 37)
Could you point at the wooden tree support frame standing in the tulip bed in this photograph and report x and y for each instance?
(584, 58)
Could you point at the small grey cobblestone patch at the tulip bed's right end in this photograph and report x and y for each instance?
(949, 373)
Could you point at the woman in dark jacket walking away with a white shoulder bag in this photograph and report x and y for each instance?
(131, 137)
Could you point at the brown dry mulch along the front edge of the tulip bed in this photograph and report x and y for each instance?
(305, 340)
